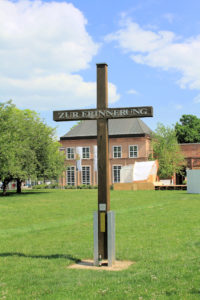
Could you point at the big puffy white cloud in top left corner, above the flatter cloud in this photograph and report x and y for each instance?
(44, 36)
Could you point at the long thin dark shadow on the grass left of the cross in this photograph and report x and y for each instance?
(53, 256)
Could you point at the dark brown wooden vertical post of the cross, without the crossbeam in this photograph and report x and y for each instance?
(103, 161)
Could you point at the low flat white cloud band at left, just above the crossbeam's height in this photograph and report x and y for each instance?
(59, 91)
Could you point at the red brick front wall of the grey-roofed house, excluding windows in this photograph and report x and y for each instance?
(143, 147)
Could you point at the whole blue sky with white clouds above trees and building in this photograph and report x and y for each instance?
(49, 51)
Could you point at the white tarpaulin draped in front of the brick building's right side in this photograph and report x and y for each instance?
(140, 171)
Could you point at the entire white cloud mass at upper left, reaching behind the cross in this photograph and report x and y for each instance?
(43, 45)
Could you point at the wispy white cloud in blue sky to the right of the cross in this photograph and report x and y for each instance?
(161, 49)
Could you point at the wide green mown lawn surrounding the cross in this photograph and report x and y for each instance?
(43, 232)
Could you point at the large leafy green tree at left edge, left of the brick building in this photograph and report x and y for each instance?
(28, 148)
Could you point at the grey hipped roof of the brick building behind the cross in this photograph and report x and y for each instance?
(116, 127)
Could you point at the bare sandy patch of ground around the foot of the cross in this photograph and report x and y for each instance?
(89, 264)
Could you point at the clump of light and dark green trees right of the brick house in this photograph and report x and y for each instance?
(166, 144)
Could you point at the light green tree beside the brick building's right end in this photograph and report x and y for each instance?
(166, 149)
